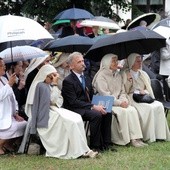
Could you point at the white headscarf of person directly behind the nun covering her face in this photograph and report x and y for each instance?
(34, 64)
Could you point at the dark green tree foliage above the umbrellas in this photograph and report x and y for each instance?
(46, 10)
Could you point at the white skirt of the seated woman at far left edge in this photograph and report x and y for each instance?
(15, 130)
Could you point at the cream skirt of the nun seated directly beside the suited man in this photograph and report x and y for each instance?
(126, 127)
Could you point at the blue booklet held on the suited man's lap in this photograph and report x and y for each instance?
(106, 101)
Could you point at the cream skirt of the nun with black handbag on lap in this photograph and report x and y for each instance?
(153, 121)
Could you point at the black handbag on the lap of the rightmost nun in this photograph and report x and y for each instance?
(142, 98)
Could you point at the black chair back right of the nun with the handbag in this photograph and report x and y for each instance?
(157, 89)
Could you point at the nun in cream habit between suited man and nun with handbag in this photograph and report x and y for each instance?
(108, 81)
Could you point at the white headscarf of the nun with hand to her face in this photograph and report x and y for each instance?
(40, 77)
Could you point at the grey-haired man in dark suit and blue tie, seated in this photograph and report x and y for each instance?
(77, 98)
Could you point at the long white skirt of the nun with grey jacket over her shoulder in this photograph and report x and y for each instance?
(65, 136)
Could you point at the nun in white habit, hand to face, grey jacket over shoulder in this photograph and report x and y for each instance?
(60, 130)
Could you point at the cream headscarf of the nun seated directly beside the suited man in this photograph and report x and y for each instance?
(105, 64)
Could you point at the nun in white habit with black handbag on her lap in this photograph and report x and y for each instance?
(152, 117)
